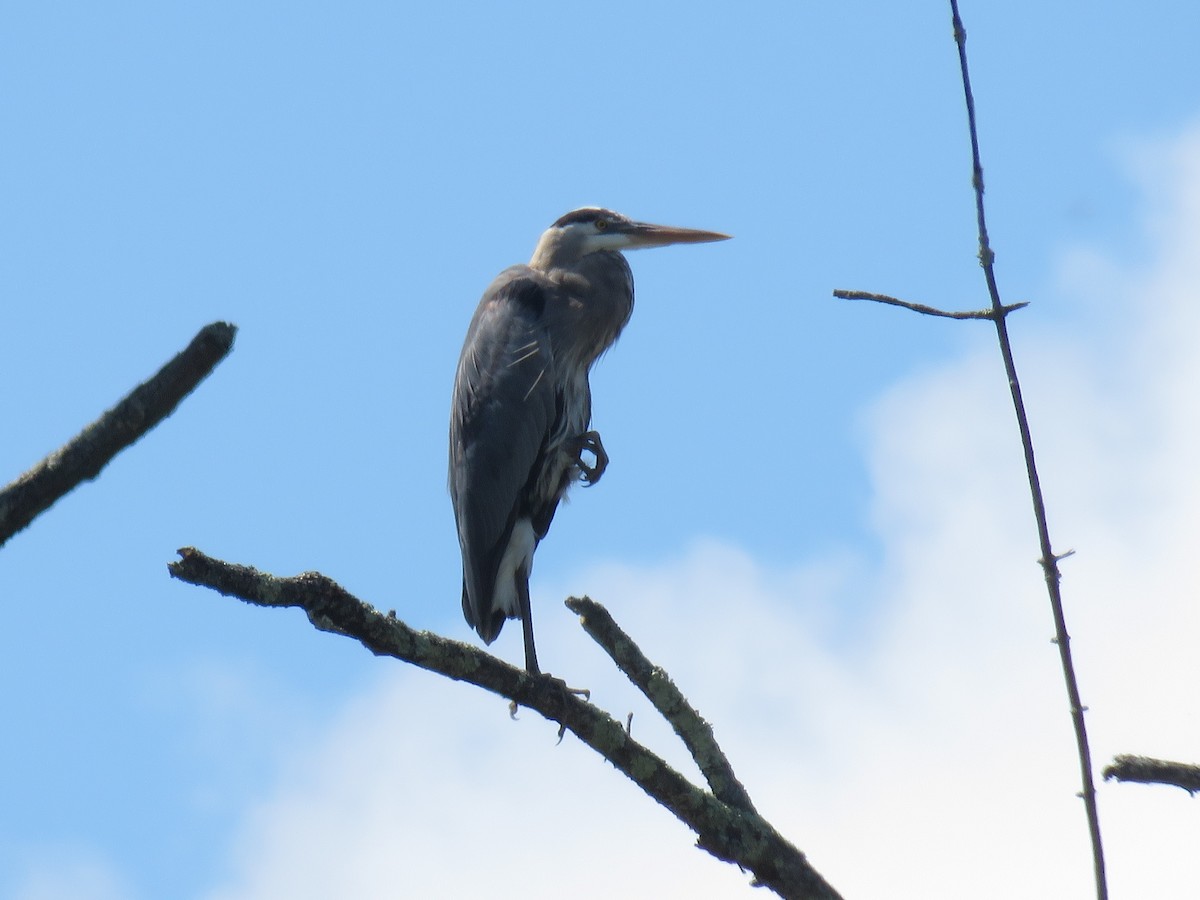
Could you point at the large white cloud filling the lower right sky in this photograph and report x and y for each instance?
(927, 755)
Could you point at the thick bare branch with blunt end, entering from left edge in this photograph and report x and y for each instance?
(87, 454)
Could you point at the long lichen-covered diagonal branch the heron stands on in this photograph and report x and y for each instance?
(730, 833)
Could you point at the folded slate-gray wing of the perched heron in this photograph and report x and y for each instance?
(505, 407)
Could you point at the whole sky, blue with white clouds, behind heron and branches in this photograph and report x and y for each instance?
(343, 182)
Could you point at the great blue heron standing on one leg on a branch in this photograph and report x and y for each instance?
(523, 405)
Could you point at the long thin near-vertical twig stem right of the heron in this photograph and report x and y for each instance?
(1049, 562)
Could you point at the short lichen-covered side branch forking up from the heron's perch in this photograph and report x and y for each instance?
(662, 692)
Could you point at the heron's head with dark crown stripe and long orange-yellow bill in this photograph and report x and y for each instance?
(592, 230)
